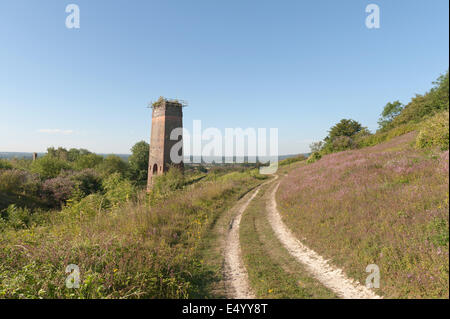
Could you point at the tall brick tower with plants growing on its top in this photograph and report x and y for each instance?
(166, 116)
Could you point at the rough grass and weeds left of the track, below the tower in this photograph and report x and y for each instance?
(129, 249)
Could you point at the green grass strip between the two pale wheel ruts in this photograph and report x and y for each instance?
(272, 271)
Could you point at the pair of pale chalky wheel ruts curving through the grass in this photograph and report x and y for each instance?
(236, 275)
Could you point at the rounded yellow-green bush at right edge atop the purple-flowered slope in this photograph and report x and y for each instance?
(434, 132)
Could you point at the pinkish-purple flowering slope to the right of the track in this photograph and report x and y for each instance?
(385, 205)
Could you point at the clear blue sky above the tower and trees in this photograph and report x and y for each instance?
(300, 66)
